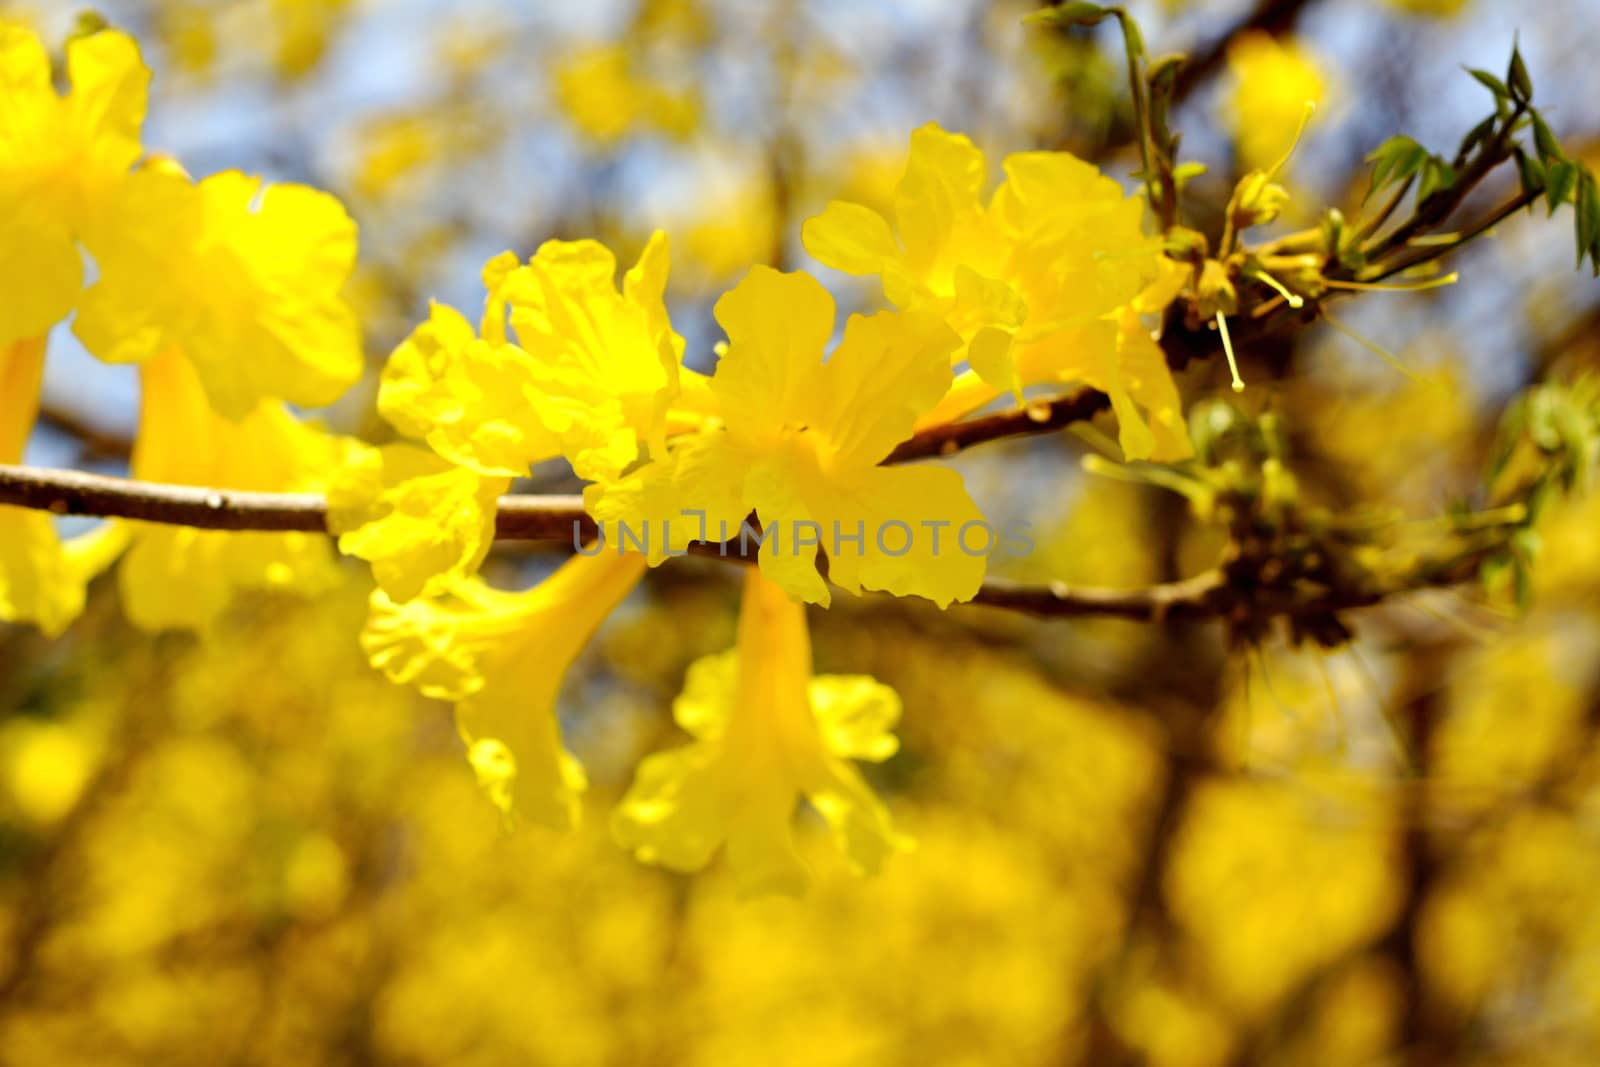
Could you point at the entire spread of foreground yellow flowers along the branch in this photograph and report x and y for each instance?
(228, 294)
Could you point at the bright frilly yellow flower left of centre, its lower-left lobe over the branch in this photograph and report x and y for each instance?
(594, 378)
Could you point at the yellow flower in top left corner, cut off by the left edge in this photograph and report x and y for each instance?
(62, 158)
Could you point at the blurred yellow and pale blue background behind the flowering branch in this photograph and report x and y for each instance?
(1135, 844)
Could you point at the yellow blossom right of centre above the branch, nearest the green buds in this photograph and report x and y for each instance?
(1038, 281)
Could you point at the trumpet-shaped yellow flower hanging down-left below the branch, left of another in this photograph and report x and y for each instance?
(502, 658)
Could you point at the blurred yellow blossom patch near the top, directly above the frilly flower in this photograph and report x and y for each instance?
(602, 94)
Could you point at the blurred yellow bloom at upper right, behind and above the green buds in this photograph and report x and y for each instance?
(1273, 84)
